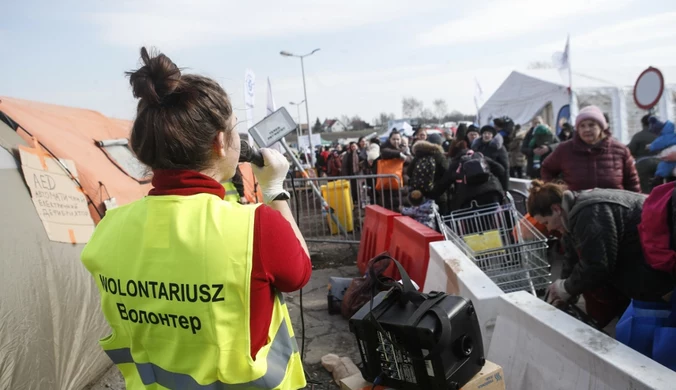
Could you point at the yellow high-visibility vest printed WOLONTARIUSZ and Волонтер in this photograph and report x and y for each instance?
(174, 275)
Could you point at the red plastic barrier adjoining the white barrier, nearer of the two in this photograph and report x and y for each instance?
(410, 245)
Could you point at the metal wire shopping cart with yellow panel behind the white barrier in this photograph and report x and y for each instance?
(503, 244)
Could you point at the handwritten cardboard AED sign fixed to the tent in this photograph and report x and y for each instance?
(60, 204)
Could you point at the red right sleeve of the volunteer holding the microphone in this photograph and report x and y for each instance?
(285, 263)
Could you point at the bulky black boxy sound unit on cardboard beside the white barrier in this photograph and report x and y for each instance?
(409, 340)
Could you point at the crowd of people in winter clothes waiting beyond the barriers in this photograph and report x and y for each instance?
(588, 189)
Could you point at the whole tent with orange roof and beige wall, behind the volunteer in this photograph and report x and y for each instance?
(50, 311)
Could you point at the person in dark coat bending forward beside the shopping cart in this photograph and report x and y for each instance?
(605, 262)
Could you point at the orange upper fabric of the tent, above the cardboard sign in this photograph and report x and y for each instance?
(73, 133)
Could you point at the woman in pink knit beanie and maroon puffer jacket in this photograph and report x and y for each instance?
(593, 158)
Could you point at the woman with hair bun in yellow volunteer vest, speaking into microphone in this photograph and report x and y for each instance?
(180, 270)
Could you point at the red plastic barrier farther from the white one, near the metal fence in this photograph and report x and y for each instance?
(375, 235)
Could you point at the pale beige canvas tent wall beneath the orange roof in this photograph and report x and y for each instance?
(50, 315)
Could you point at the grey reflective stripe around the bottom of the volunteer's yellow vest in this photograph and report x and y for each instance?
(280, 353)
